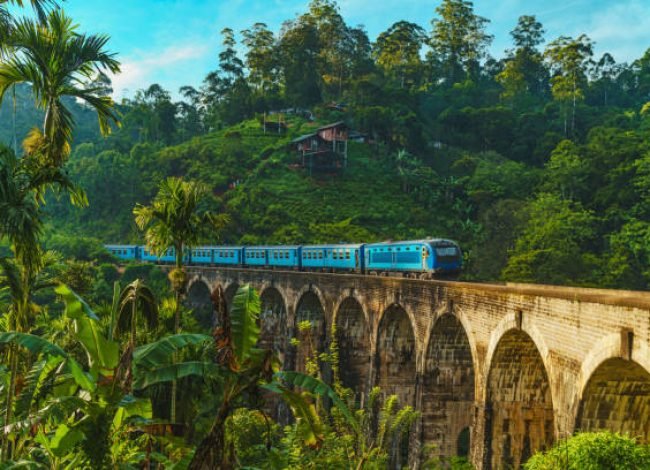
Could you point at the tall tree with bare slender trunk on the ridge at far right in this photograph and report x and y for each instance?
(569, 59)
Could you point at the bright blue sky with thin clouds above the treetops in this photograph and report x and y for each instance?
(176, 42)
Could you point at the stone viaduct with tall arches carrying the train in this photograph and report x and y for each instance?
(497, 371)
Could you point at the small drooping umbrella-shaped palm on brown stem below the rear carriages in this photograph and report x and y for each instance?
(136, 298)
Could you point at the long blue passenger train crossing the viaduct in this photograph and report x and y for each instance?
(415, 258)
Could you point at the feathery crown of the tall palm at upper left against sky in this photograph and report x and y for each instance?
(57, 62)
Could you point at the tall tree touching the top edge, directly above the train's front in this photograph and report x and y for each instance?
(459, 40)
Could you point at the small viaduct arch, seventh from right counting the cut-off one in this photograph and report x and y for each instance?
(273, 321)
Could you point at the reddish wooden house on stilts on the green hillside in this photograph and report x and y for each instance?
(324, 150)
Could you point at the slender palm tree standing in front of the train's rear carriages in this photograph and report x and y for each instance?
(175, 219)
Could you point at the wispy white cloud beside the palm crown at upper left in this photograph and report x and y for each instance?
(155, 66)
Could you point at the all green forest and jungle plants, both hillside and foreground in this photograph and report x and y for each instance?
(536, 162)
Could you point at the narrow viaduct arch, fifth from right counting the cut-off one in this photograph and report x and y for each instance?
(353, 339)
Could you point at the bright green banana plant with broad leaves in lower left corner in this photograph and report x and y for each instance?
(72, 405)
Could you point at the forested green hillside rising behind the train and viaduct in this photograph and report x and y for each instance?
(536, 161)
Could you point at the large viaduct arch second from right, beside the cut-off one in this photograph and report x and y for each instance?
(520, 419)
